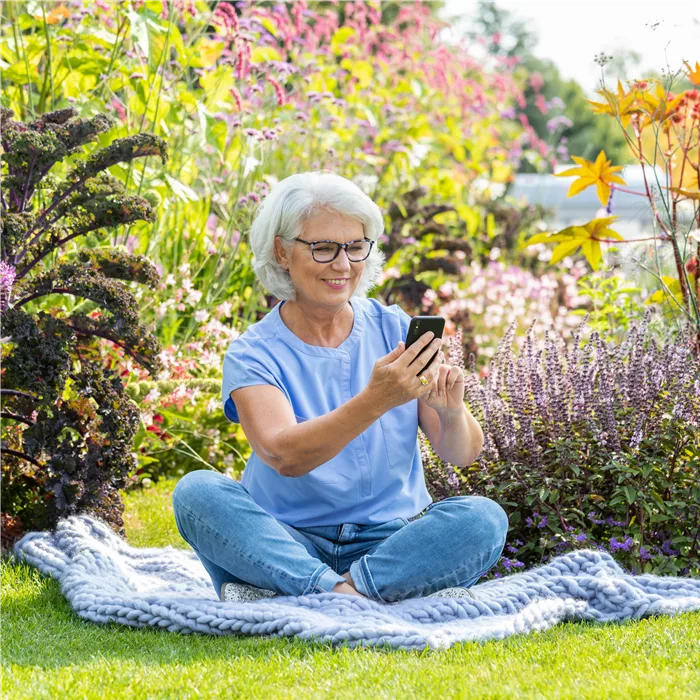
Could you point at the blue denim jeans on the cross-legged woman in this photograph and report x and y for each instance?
(453, 543)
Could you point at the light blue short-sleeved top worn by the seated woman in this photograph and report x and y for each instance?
(378, 476)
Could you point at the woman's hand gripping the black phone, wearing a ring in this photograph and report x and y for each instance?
(394, 379)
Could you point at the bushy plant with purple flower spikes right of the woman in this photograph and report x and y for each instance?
(590, 444)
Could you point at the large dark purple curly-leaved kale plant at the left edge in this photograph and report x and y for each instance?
(66, 423)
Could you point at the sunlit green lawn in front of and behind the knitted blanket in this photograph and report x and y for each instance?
(46, 651)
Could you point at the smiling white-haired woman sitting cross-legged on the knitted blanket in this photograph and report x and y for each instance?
(333, 497)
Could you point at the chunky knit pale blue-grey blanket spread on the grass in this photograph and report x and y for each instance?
(105, 579)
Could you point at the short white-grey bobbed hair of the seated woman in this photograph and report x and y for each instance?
(289, 204)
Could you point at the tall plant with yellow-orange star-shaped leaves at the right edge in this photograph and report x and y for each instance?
(649, 105)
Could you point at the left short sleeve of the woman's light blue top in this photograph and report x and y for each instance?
(244, 365)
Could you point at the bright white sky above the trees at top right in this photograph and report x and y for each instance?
(572, 32)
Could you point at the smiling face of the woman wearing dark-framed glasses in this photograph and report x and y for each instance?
(308, 276)
